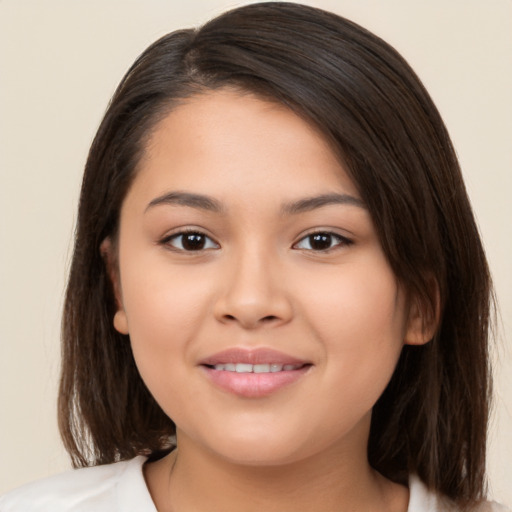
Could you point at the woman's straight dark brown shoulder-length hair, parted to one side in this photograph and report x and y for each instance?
(359, 91)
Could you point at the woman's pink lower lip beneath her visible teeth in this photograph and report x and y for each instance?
(254, 385)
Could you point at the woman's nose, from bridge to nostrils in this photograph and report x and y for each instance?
(253, 292)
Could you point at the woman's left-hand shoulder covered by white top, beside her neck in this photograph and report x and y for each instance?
(112, 487)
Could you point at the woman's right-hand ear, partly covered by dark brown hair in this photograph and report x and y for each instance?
(423, 319)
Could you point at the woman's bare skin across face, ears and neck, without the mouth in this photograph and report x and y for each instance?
(258, 282)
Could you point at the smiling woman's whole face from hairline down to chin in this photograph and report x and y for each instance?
(263, 315)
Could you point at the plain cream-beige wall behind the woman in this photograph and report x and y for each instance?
(60, 62)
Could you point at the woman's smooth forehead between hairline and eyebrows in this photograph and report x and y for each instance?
(226, 140)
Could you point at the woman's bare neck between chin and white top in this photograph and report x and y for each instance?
(195, 480)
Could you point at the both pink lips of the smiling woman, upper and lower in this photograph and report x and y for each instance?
(253, 385)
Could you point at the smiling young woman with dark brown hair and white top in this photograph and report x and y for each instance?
(278, 298)
